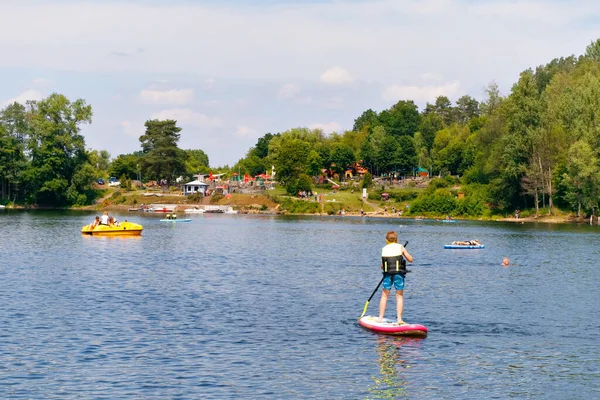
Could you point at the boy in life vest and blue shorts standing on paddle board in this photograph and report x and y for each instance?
(394, 270)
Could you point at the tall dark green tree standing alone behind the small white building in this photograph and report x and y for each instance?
(163, 159)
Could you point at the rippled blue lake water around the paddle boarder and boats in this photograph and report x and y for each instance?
(234, 306)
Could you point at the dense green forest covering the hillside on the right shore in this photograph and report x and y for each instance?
(537, 147)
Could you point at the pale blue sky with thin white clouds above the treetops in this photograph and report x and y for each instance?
(231, 71)
